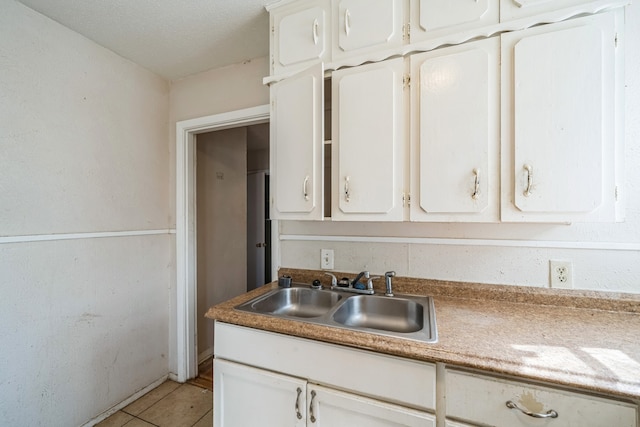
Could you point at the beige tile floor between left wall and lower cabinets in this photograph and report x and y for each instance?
(169, 405)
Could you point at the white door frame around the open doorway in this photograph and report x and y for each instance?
(186, 274)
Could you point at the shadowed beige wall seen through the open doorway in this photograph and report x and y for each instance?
(221, 177)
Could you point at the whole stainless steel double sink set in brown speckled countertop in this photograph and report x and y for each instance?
(402, 316)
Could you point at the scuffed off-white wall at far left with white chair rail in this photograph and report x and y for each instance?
(85, 254)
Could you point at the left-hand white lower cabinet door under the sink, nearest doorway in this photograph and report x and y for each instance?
(245, 396)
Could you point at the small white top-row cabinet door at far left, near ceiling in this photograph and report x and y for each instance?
(299, 35)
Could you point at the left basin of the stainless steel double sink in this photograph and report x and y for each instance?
(295, 302)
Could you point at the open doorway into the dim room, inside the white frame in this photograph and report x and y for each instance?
(231, 170)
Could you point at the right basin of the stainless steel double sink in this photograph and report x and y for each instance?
(377, 312)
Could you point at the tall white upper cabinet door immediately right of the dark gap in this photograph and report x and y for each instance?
(368, 142)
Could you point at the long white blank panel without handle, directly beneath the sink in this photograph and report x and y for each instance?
(393, 379)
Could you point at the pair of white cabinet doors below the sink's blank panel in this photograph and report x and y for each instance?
(247, 396)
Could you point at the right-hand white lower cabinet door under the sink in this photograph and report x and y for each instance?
(331, 408)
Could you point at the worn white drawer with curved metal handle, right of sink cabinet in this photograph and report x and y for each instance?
(480, 399)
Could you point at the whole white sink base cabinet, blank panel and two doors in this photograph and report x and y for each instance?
(267, 379)
